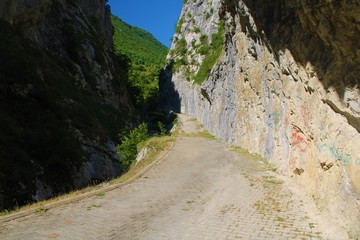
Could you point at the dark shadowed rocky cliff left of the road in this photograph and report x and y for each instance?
(63, 98)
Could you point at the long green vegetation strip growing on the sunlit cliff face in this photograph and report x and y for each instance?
(212, 53)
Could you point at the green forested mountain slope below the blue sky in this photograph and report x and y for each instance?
(146, 56)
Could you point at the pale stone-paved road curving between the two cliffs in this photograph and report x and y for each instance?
(201, 189)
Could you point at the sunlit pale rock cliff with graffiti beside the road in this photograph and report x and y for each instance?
(285, 85)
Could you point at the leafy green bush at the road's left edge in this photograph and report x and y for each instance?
(127, 150)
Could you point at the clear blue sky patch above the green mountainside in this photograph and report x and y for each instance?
(159, 17)
